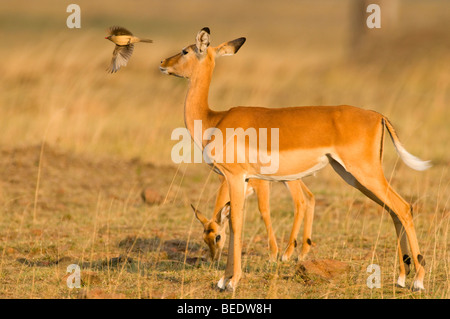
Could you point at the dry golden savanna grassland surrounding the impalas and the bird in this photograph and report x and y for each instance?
(78, 147)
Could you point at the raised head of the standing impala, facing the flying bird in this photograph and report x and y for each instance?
(201, 53)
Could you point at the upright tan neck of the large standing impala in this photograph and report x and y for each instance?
(196, 105)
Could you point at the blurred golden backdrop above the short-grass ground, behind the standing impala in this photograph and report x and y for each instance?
(55, 87)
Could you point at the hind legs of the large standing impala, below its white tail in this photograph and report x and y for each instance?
(370, 180)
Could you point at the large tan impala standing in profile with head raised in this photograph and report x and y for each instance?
(349, 138)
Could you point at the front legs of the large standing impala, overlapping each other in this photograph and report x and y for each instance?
(233, 271)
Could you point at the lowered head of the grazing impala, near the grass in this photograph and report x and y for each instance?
(214, 230)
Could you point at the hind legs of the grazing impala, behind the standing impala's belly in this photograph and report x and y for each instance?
(303, 209)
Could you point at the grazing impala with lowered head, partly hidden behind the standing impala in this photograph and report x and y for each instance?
(214, 229)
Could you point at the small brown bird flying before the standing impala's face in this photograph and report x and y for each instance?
(124, 41)
